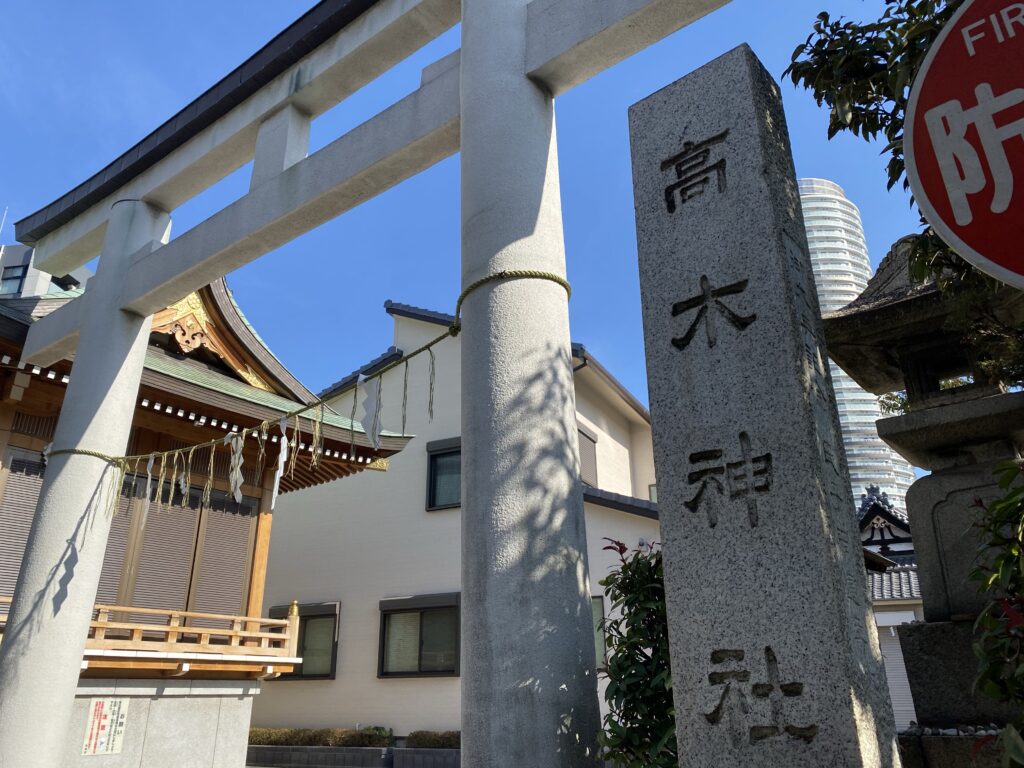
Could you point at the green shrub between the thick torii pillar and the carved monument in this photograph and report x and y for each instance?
(641, 727)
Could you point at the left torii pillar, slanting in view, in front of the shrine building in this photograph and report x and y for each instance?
(57, 587)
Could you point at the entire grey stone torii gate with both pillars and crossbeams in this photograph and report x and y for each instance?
(528, 670)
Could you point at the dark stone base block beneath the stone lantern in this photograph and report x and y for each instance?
(942, 669)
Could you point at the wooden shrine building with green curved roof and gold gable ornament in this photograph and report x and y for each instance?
(179, 612)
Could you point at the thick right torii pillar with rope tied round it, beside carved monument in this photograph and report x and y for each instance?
(529, 671)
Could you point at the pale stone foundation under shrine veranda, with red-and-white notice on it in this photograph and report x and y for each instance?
(169, 724)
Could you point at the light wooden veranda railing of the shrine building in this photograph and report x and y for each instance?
(132, 643)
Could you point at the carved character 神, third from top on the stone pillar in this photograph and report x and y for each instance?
(745, 479)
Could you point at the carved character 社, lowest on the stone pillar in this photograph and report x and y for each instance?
(736, 705)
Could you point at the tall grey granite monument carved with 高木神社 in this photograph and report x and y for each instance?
(776, 661)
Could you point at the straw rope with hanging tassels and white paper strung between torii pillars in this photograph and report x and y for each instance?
(289, 447)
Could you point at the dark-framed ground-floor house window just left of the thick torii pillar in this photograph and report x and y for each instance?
(420, 637)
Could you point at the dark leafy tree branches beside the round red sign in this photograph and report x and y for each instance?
(864, 74)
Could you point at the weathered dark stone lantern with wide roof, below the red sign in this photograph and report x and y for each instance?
(958, 425)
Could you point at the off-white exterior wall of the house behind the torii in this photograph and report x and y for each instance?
(369, 538)
